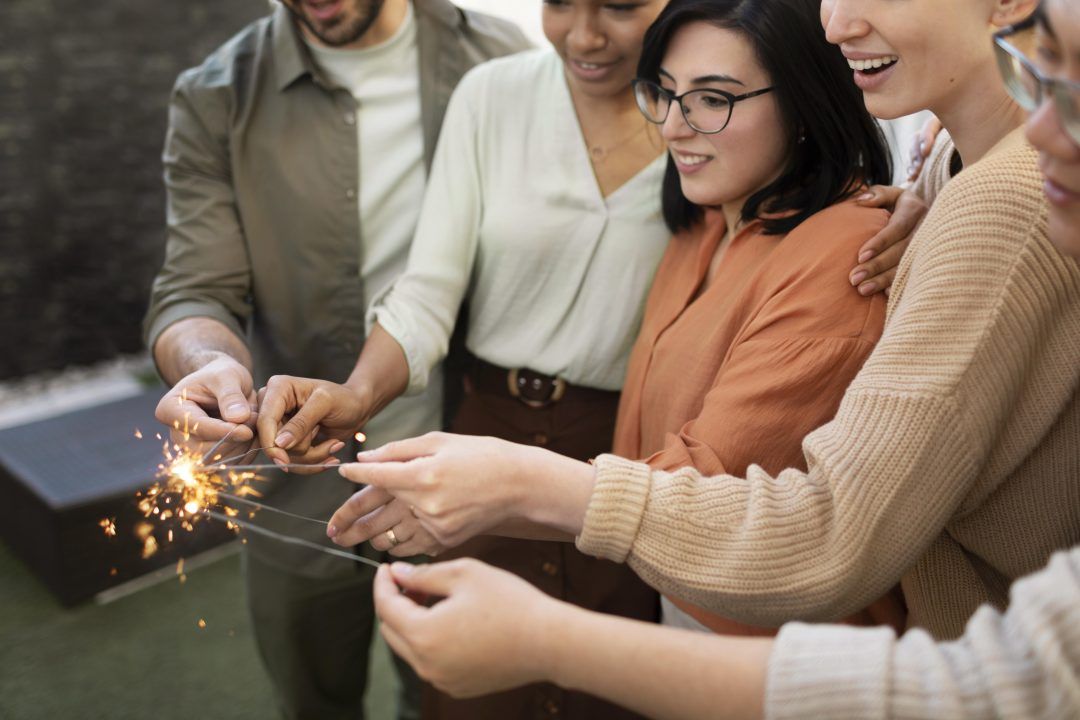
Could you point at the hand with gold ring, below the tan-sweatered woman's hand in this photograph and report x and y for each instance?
(376, 511)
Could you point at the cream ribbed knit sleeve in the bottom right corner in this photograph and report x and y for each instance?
(1024, 664)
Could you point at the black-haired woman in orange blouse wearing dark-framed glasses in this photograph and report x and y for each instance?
(751, 332)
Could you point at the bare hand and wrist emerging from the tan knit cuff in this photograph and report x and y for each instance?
(461, 487)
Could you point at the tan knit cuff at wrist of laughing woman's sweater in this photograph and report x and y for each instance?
(616, 508)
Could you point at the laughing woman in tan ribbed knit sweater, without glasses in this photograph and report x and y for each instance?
(952, 465)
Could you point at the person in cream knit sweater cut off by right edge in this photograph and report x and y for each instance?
(1024, 664)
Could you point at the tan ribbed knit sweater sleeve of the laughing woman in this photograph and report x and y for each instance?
(982, 292)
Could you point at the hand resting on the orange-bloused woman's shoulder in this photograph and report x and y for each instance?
(880, 257)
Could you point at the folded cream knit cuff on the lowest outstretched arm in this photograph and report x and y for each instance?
(829, 672)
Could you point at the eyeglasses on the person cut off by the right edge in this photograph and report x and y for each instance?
(1030, 88)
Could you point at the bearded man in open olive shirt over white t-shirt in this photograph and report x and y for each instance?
(278, 234)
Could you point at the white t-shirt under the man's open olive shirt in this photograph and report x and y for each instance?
(385, 80)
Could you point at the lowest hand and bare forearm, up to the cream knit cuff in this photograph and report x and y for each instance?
(493, 631)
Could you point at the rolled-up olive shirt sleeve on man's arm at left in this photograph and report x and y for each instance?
(207, 271)
